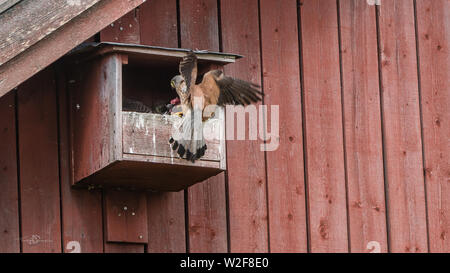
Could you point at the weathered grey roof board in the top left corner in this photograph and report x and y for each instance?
(30, 21)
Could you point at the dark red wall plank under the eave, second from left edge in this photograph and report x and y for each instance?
(38, 153)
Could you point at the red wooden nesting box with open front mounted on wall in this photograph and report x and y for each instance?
(115, 148)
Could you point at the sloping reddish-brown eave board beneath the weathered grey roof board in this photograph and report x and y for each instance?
(62, 41)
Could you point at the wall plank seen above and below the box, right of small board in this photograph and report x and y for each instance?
(166, 218)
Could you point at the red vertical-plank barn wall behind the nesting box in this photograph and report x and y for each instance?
(364, 157)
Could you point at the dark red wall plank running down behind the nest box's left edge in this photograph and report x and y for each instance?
(81, 209)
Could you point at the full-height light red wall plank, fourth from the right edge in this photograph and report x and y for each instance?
(323, 123)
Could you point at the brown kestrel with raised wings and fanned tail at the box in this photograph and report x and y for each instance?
(216, 89)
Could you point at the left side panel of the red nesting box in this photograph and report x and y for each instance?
(96, 103)
